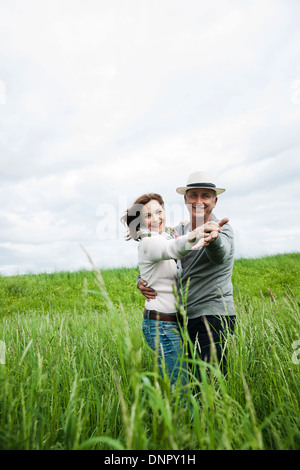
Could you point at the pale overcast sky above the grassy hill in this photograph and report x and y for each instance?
(101, 101)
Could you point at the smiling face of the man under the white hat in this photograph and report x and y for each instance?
(200, 203)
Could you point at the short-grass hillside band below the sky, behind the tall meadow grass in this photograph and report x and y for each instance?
(67, 292)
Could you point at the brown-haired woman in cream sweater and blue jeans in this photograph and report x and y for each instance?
(158, 247)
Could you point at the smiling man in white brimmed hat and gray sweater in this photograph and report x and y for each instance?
(209, 305)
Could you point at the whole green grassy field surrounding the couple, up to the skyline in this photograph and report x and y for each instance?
(78, 374)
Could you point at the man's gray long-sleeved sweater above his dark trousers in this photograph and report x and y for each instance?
(209, 270)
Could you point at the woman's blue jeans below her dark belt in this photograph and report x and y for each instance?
(169, 347)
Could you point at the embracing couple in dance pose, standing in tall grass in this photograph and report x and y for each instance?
(197, 256)
